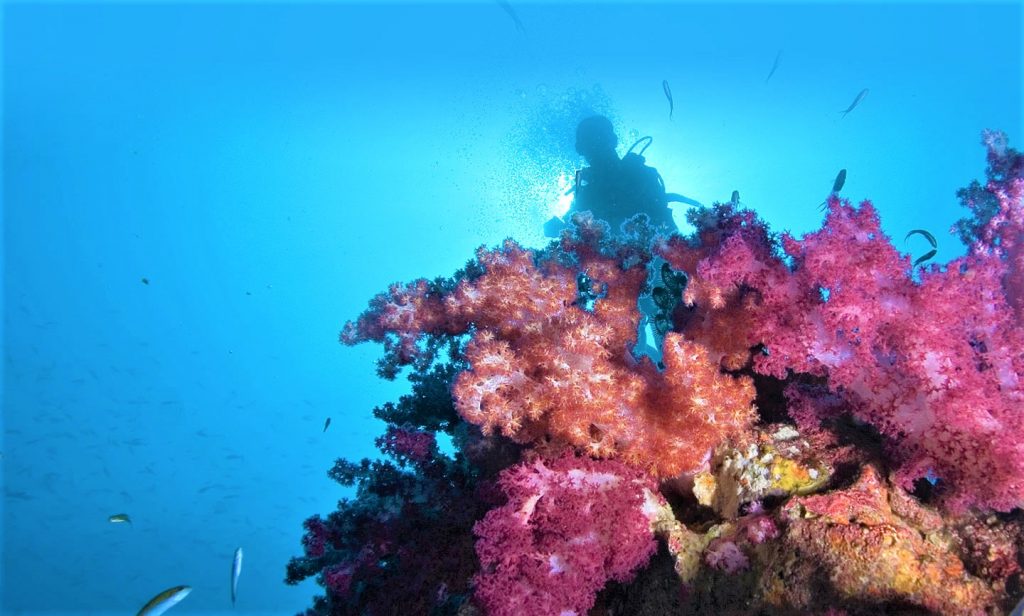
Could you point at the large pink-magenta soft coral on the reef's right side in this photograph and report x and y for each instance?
(933, 366)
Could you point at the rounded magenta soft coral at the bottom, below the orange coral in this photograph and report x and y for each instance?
(570, 526)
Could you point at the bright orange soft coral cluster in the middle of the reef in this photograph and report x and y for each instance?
(545, 367)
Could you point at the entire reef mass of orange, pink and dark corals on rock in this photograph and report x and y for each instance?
(827, 430)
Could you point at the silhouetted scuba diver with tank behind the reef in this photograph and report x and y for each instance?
(616, 190)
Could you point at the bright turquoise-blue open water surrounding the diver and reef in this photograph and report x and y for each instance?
(197, 198)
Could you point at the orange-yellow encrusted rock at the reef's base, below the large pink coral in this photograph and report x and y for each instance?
(851, 545)
